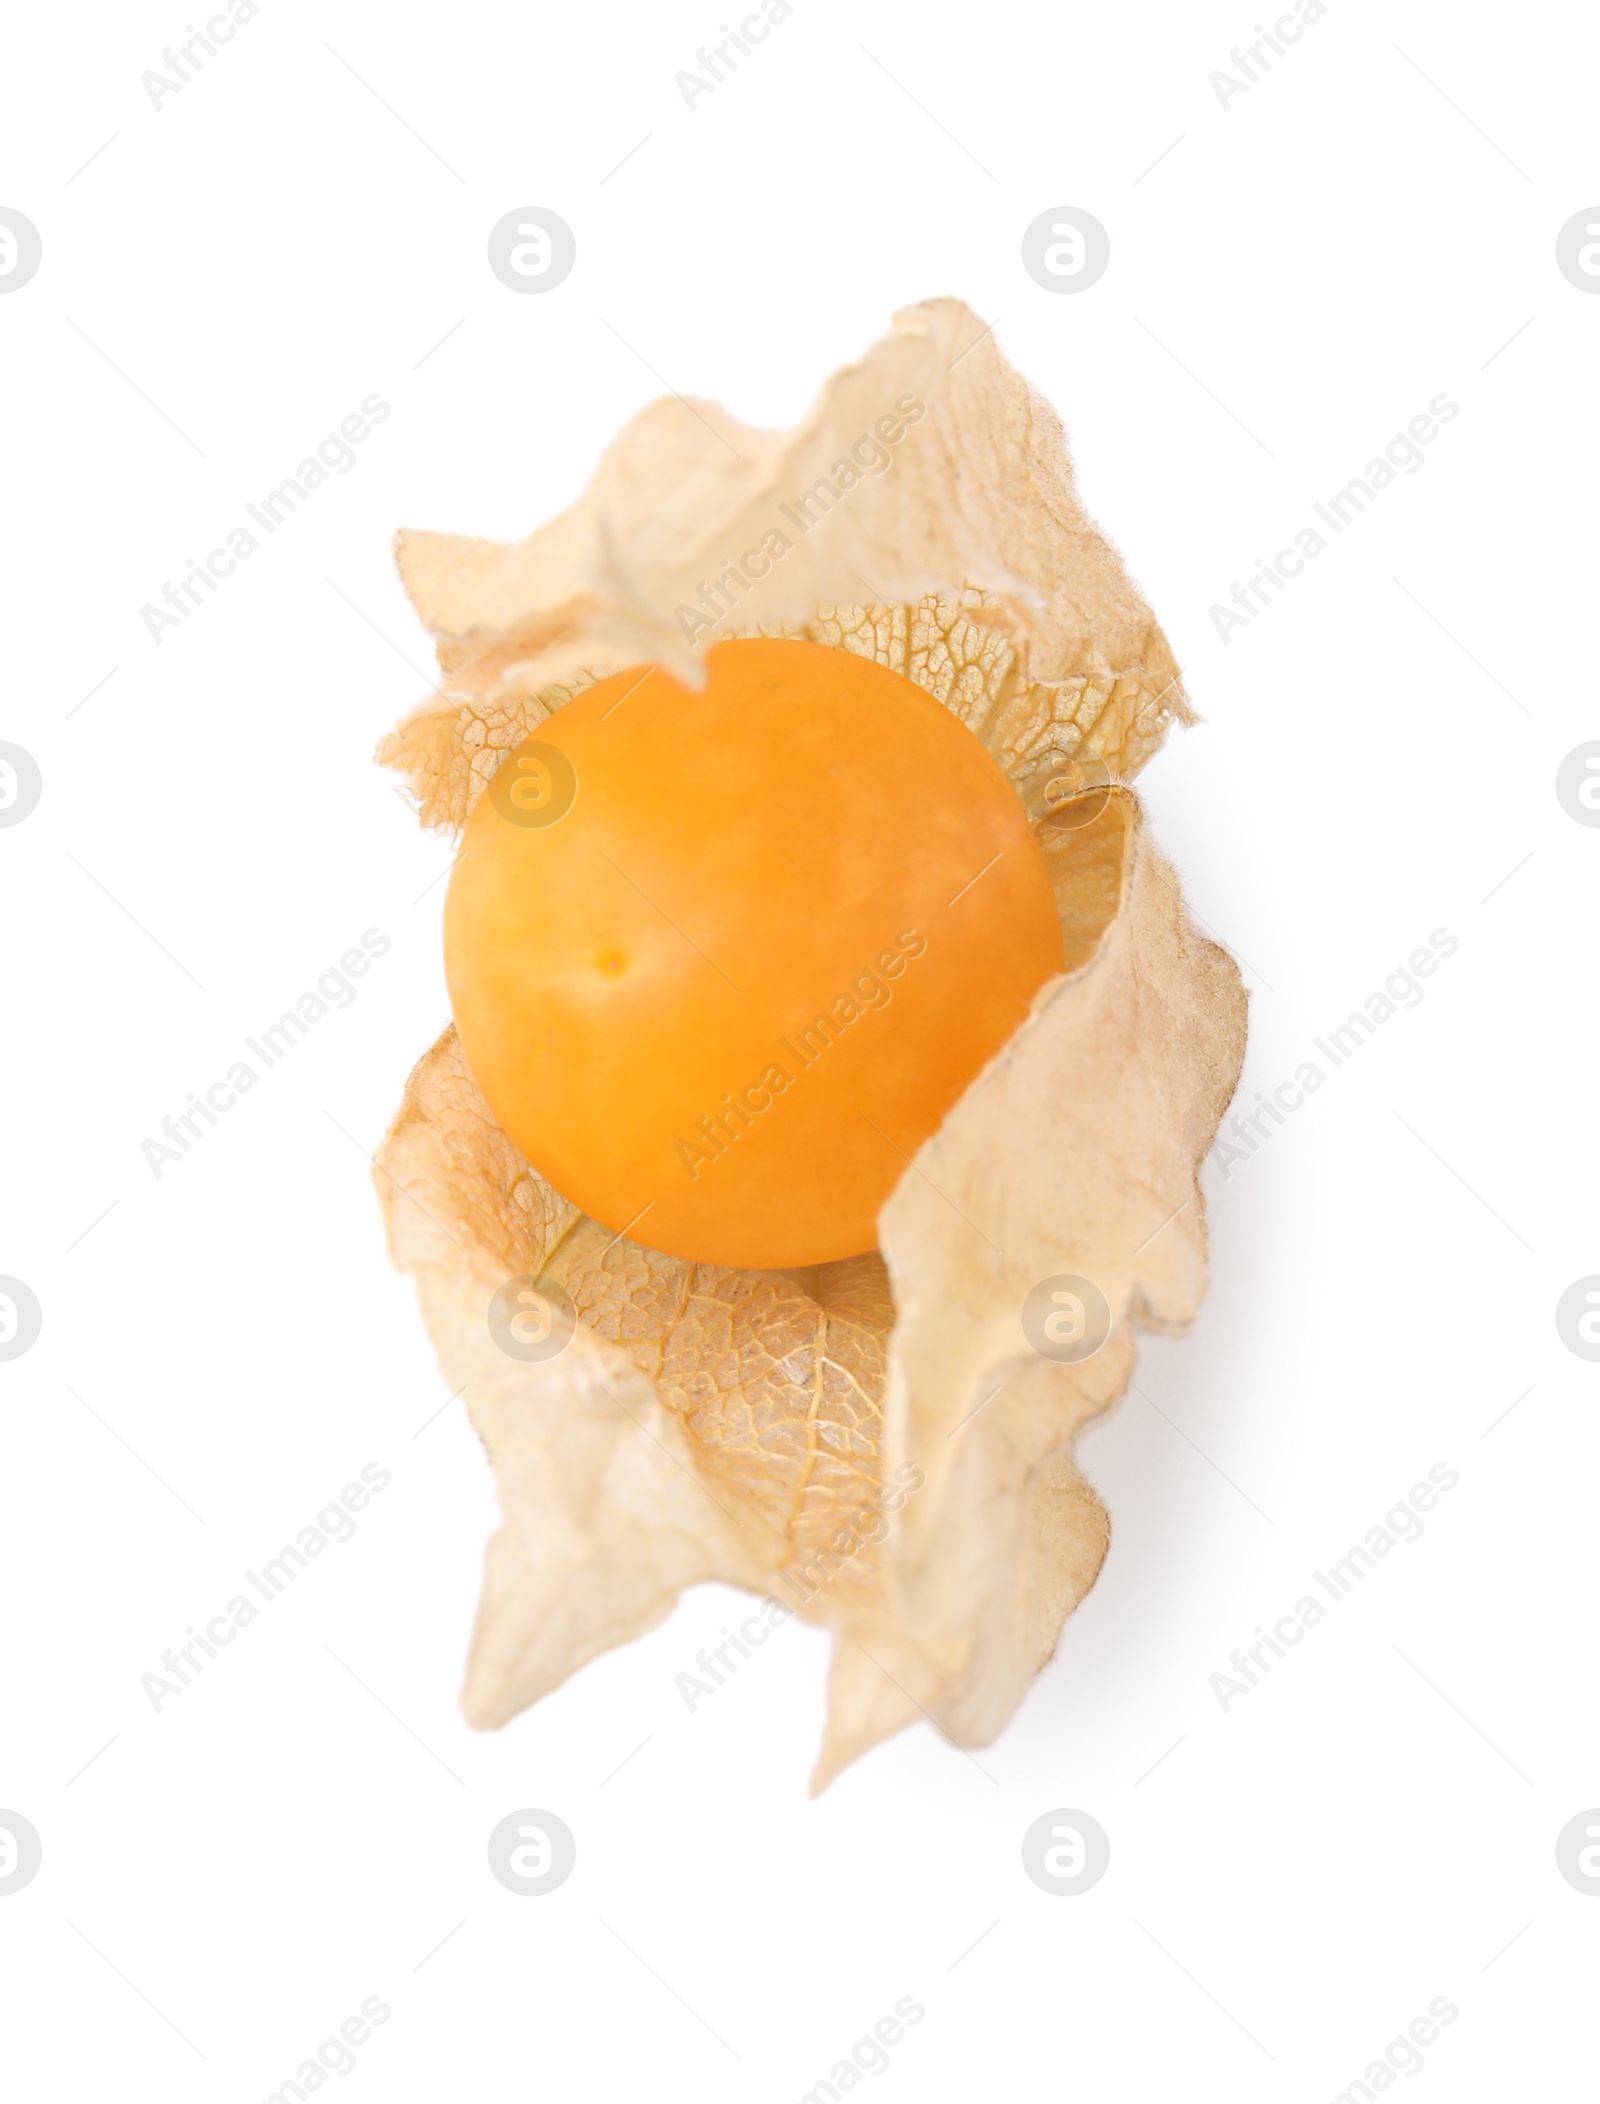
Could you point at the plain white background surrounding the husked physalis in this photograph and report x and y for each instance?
(1369, 226)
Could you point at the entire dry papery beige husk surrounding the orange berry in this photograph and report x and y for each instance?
(896, 1465)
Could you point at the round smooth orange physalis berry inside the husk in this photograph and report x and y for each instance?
(723, 960)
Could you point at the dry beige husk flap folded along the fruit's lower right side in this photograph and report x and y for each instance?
(1075, 1156)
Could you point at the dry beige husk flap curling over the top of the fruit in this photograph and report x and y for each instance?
(980, 491)
